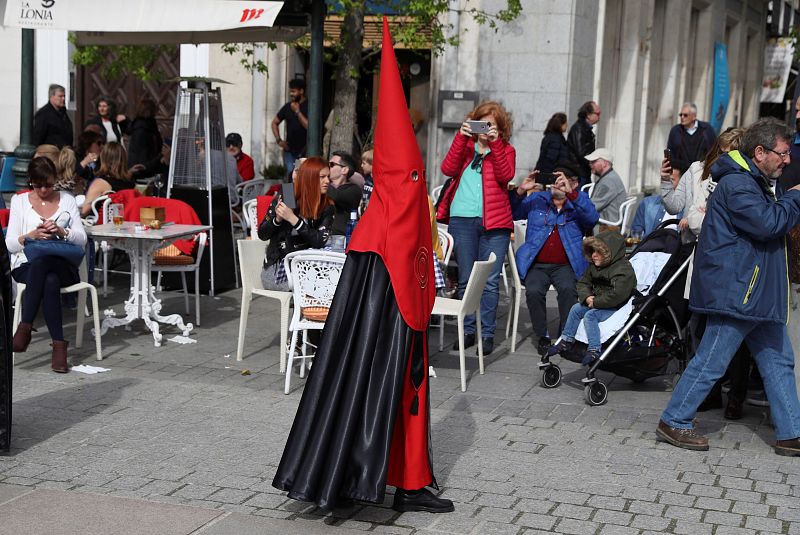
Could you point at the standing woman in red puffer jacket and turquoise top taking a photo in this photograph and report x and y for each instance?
(476, 203)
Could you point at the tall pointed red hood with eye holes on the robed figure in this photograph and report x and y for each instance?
(397, 223)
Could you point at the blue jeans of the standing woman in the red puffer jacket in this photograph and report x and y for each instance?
(471, 243)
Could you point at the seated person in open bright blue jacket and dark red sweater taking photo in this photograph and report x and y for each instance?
(552, 253)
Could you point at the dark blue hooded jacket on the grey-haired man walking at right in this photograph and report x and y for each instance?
(741, 261)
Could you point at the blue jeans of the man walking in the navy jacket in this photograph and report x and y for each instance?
(772, 351)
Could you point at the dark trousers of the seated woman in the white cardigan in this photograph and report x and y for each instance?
(43, 279)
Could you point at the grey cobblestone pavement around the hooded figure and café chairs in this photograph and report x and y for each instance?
(181, 424)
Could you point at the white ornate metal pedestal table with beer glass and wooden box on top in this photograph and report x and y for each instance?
(140, 246)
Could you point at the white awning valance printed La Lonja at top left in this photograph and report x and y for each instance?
(140, 15)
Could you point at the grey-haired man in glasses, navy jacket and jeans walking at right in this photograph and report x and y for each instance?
(740, 282)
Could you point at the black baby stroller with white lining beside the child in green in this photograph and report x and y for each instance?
(647, 336)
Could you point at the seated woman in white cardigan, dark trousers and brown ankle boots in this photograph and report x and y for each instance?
(43, 214)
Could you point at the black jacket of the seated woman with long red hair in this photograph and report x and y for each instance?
(284, 239)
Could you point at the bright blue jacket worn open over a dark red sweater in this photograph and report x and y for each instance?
(577, 217)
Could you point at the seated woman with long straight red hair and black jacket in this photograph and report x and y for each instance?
(306, 227)
